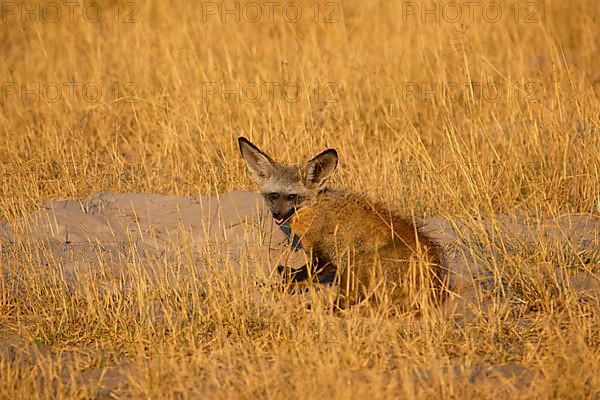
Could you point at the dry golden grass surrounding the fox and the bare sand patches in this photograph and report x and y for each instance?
(467, 118)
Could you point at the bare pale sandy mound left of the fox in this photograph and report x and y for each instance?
(116, 230)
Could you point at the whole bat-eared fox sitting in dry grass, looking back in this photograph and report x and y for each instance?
(371, 253)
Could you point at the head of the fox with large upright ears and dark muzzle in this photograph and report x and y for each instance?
(287, 189)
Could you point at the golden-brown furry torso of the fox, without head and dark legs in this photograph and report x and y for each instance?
(379, 255)
